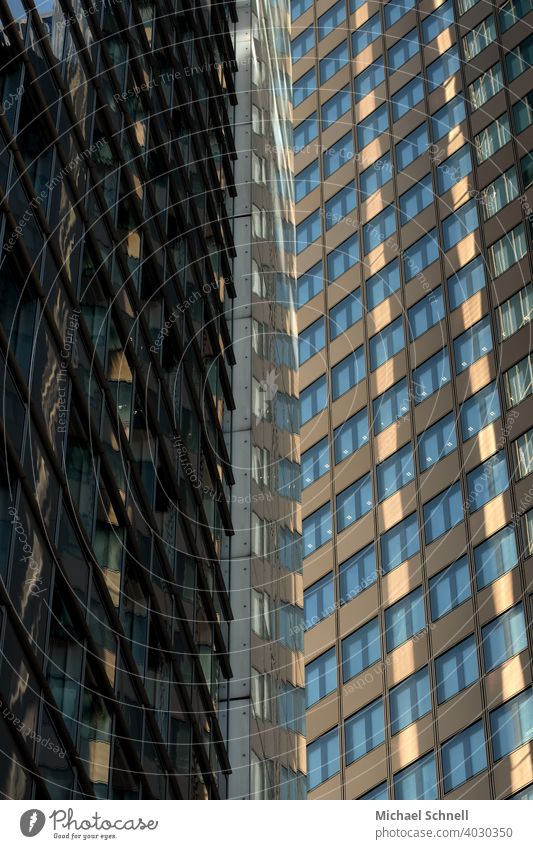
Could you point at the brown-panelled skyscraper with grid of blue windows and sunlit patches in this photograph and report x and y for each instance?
(413, 160)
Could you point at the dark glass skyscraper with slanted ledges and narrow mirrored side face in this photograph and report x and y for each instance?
(130, 519)
